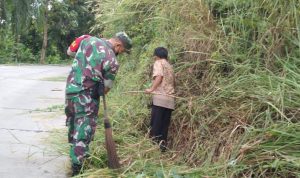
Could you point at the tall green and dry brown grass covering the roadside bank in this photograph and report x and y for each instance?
(237, 70)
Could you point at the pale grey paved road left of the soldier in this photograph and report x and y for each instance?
(28, 95)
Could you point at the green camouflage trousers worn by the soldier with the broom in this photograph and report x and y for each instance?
(82, 112)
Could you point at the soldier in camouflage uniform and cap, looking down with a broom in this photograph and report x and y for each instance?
(93, 70)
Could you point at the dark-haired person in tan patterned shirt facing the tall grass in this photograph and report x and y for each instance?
(163, 103)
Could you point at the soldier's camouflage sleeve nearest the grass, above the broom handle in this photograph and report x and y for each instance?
(110, 69)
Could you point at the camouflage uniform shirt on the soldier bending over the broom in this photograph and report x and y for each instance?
(95, 62)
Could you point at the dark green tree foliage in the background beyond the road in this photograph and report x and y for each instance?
(67, 19)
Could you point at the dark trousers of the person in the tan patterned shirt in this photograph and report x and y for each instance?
(160, 121)
